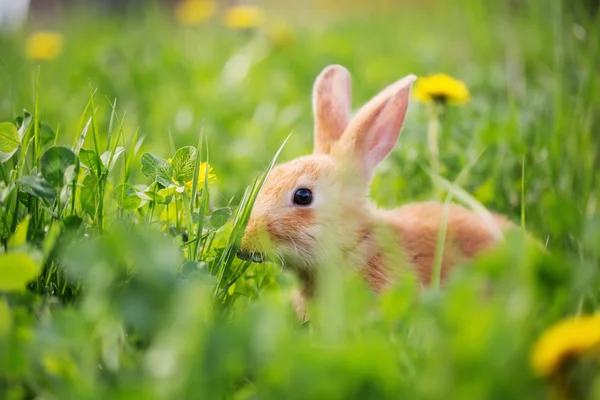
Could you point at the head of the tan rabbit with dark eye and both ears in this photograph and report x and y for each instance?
(307, 202)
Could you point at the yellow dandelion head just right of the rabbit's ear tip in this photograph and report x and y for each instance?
(441, 88)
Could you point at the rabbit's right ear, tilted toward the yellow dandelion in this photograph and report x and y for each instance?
(373, 132)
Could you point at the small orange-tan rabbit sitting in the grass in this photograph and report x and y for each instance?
(325, 196)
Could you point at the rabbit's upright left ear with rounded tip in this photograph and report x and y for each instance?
(331, 106)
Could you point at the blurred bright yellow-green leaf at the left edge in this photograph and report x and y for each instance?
(16, 270)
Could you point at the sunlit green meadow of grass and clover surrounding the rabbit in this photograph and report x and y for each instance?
(132, 147)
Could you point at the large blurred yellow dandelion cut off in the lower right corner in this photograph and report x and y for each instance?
(569, 338)
